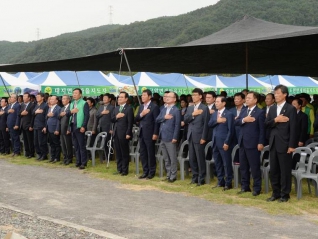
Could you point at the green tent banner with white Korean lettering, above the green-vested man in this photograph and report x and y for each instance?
(87, 90)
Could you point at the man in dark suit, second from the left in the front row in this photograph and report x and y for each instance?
(13, 124)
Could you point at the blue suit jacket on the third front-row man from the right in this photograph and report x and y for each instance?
(222, 133)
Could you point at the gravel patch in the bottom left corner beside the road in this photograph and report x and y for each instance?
(33, 227)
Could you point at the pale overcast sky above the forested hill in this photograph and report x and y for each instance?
(30, 20)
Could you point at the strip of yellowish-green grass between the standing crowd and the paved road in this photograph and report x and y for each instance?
(307, 205)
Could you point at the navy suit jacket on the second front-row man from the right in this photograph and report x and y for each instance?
(252, 133)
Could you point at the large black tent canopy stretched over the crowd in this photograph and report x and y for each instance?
(265, 47)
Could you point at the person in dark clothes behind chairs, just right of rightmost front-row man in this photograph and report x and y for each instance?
(301, 130)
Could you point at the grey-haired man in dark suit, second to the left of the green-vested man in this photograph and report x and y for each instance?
(53, 128)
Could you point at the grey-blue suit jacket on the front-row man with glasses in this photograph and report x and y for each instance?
(169, 129)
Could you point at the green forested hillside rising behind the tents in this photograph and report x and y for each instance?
(164, 31)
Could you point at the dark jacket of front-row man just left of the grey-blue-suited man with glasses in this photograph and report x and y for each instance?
(147, 124)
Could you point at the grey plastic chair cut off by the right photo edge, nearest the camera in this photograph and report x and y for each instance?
(308, 175)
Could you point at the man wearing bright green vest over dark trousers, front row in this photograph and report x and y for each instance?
(78, 125)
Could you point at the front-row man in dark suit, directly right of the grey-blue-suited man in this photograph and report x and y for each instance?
(197, 118)
